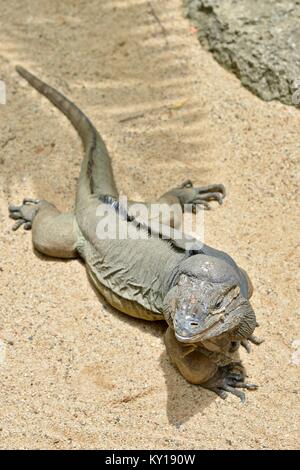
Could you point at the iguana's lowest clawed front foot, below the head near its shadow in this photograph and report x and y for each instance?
(229, 379)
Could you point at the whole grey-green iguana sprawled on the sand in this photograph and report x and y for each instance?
(202, 294)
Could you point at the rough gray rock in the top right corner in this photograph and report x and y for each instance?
(258, 40)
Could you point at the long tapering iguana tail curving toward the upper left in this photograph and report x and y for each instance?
(96, 176)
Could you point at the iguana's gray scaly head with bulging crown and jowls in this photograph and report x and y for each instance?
(208, 298)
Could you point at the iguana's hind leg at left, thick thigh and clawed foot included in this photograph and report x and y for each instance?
(53, 233)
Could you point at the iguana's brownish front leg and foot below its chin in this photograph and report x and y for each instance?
(198, 369)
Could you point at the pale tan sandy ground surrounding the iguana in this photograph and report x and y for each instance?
(75, 373)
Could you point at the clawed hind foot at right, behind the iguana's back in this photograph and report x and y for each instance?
(201, 196)
